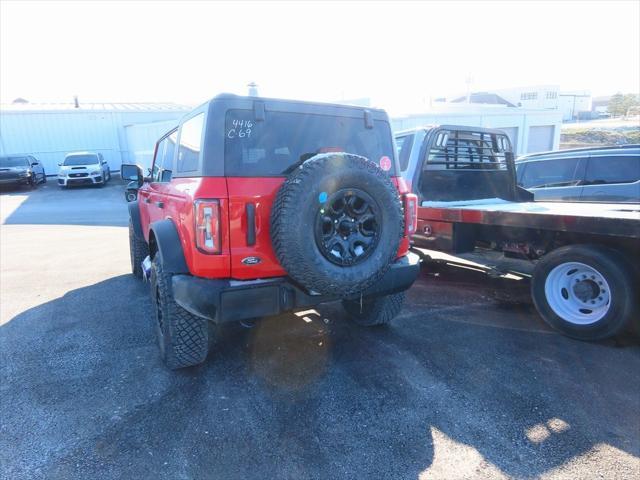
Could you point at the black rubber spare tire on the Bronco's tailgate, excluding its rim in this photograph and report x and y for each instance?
(294, 215)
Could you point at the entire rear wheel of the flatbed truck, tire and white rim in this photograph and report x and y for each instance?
(584, 291)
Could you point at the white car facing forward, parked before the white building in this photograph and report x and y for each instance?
(83, 168)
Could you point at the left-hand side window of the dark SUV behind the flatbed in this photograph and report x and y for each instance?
(552, 173)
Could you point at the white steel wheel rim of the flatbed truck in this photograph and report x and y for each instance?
(577, 293)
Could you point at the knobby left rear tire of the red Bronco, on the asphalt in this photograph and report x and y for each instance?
(183, 338)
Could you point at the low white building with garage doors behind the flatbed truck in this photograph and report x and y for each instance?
(529, 130)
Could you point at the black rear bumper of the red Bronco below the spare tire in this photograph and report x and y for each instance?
(230, 300)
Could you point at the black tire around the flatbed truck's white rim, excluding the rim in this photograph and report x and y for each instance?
(617, 273)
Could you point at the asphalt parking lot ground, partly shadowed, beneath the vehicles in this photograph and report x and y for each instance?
(463, 384)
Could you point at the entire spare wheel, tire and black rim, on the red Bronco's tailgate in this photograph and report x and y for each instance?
(336, 224)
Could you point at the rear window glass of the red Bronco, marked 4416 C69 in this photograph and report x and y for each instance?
(274, 146)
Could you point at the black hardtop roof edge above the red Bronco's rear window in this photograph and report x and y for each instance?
(231, 101)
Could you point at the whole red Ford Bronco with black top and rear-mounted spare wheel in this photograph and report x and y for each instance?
(255, 206)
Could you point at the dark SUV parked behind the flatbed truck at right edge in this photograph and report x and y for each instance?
(599, 174)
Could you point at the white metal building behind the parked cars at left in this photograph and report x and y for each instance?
(50, 131)
